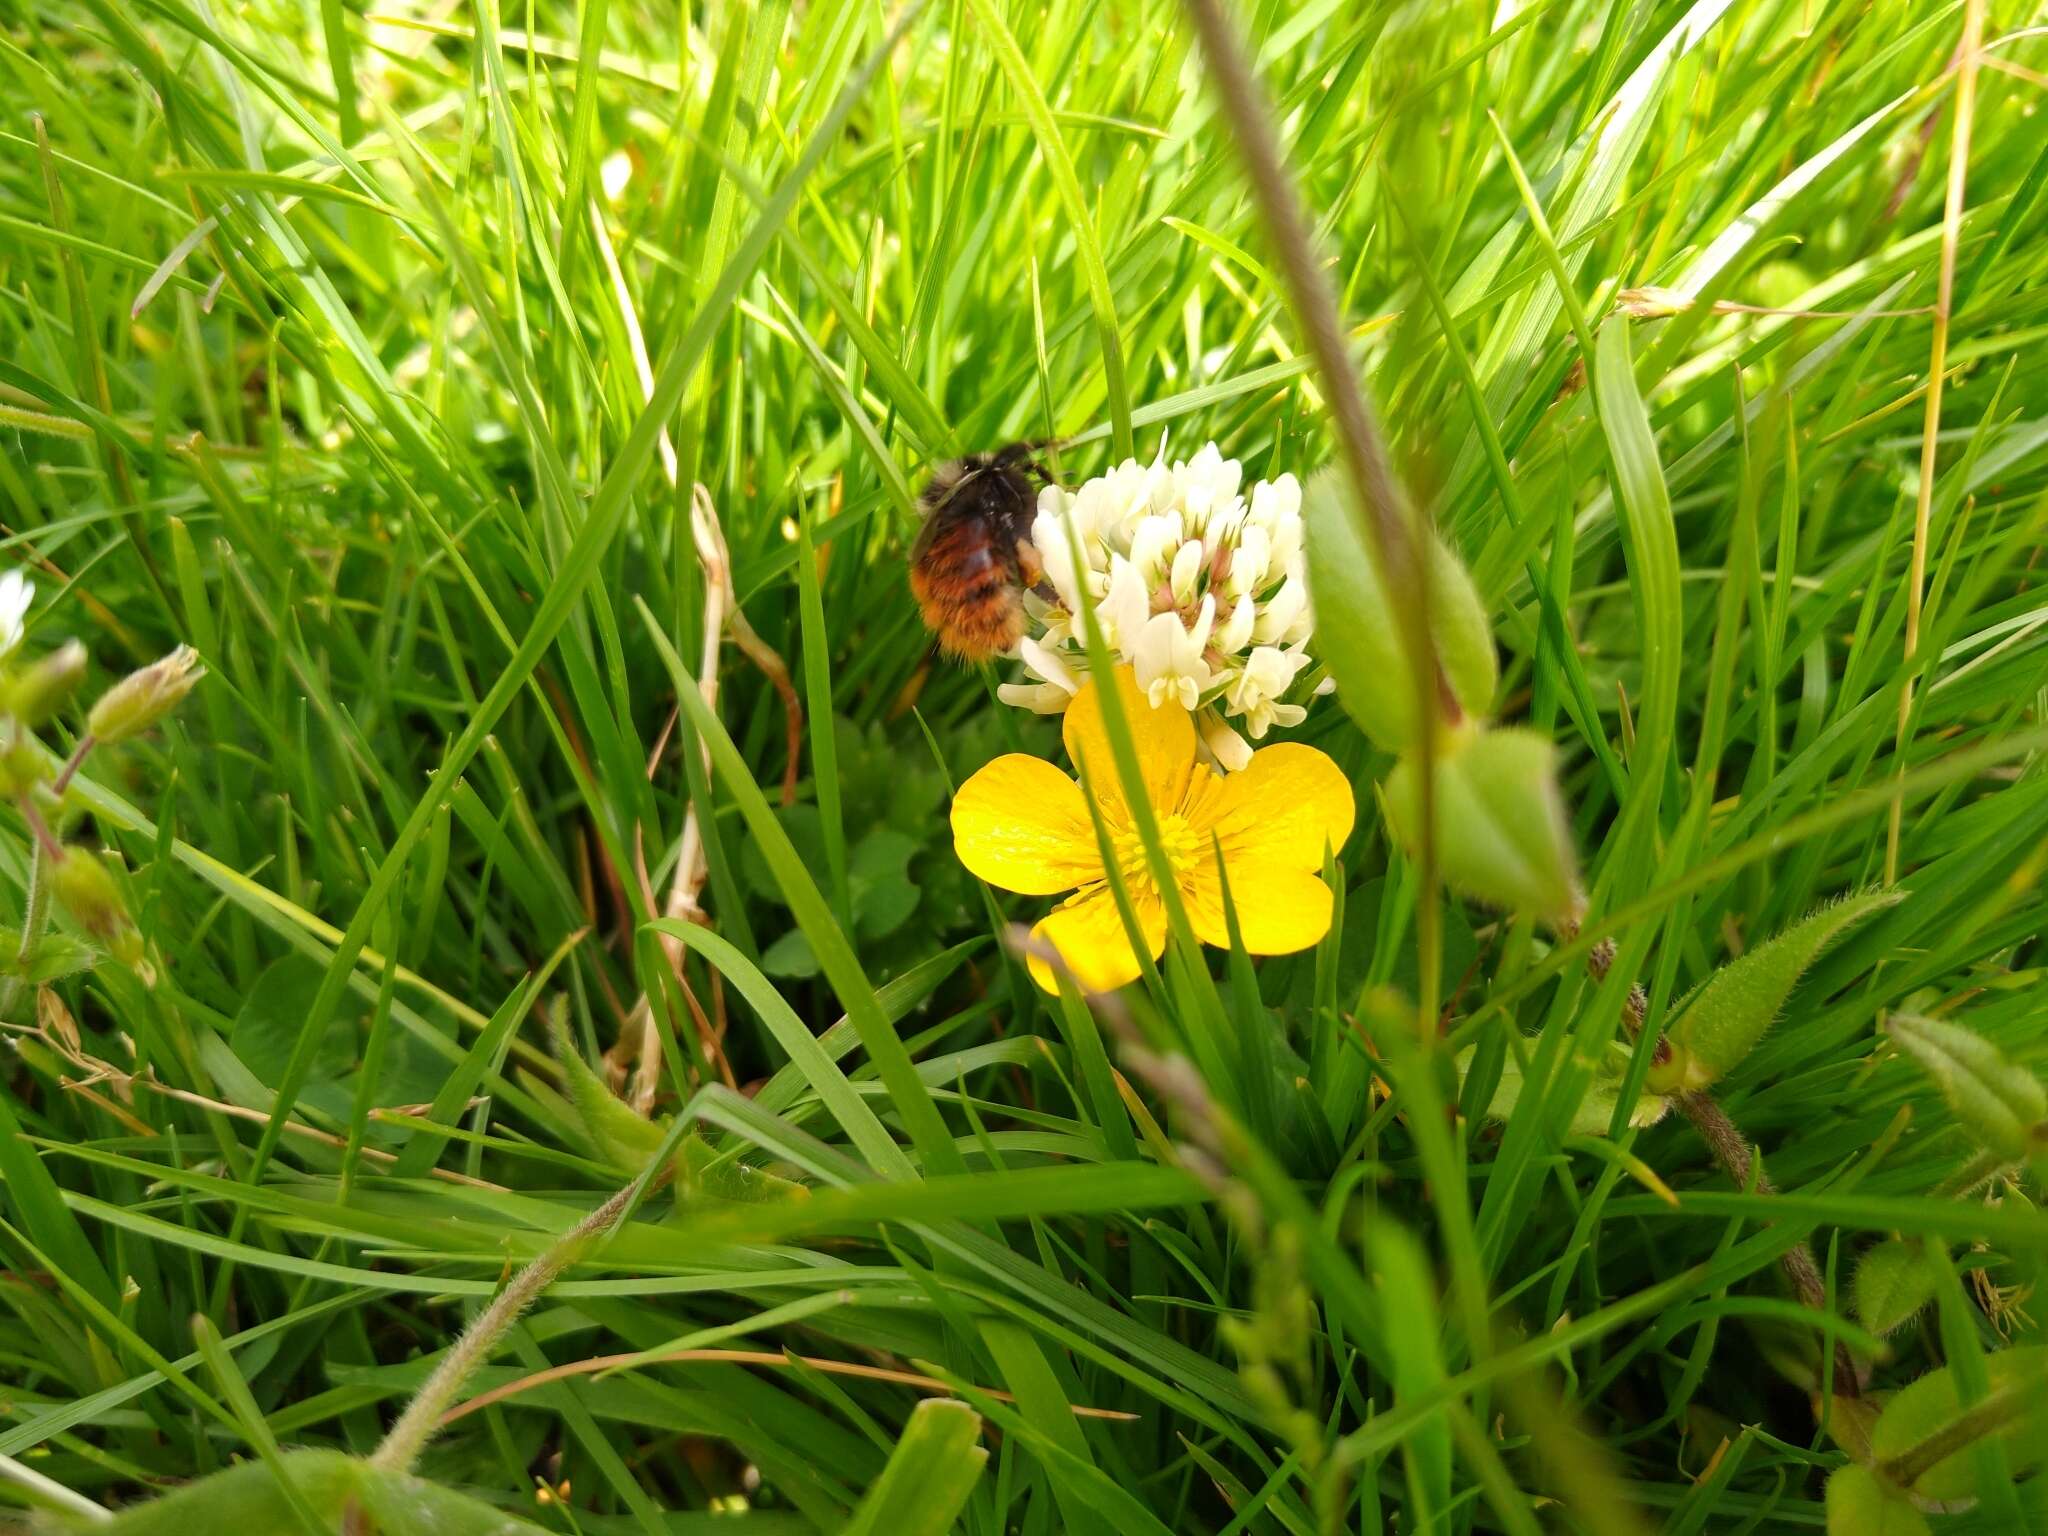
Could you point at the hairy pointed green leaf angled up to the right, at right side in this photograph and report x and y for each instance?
(1736, 1007)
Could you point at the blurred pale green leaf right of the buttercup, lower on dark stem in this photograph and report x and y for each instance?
(1500, 822)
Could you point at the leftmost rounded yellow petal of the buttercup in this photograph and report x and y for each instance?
(1021, 824)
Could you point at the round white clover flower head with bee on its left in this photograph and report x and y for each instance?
(1197, 583)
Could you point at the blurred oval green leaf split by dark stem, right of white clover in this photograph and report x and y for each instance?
(1361, 638)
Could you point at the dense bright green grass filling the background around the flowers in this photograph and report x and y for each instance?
(327, 341)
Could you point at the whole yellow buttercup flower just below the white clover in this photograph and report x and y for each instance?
(1023, 824)
